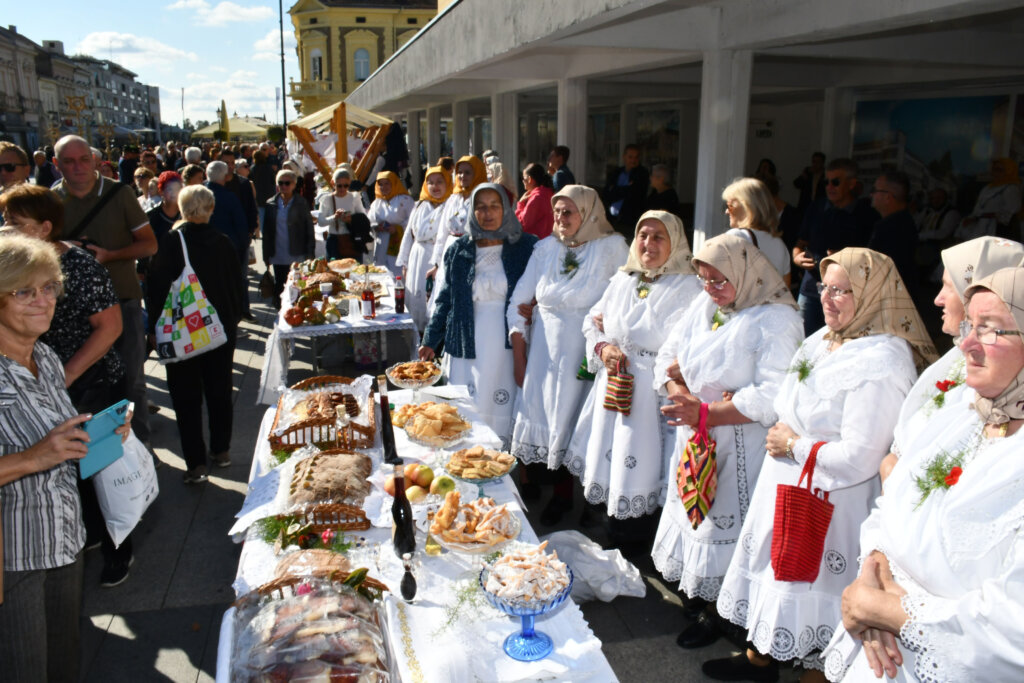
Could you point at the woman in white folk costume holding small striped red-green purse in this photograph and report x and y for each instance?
(622, 459)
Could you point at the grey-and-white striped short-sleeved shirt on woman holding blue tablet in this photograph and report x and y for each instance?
(42, 515)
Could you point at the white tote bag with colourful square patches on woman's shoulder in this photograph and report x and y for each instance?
(189, 325)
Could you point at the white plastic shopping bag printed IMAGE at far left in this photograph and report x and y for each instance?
(125, 489)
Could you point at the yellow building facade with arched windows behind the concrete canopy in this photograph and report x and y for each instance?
(340, 45)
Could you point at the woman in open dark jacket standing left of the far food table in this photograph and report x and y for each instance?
(293, 241)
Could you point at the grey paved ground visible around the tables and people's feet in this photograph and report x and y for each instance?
(163, 623)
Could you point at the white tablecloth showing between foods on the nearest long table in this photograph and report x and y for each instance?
(431, 637)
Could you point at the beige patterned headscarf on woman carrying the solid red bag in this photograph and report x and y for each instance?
(883, 304)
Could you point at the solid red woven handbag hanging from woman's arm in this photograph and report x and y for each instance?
(802, 519)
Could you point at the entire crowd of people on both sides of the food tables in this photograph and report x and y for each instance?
(688, 395)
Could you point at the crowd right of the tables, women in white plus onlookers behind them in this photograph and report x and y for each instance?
(691, 396)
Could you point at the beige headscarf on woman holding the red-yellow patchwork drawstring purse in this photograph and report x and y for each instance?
(745, 266)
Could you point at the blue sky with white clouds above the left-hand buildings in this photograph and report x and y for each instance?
(215, 51)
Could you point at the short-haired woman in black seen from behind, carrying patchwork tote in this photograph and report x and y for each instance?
(209, 375)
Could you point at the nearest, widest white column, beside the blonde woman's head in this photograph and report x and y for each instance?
(726, 102)
